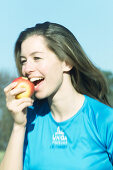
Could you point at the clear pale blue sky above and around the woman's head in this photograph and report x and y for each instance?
(91, 21)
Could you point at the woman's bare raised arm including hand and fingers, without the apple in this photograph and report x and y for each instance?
(13, 158)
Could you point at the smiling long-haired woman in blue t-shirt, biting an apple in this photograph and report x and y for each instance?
(69, 124)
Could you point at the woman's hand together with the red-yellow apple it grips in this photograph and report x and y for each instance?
(15, 91)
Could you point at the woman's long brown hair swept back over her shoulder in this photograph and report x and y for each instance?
(86, 77)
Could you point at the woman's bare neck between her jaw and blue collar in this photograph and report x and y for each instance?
(66, 102)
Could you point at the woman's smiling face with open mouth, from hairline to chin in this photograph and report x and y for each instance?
(41, 66)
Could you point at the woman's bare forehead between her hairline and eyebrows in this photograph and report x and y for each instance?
(33, 43)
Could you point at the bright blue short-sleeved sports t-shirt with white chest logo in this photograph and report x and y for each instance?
(83, 142)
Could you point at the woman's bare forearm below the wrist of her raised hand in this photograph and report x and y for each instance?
(13, 158)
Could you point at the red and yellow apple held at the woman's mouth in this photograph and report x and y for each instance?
(23, 82)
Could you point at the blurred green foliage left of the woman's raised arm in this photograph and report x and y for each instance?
(6, 121)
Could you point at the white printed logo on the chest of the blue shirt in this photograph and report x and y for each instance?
(59, 140)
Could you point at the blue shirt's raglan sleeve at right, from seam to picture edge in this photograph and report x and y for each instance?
(99, 117)
